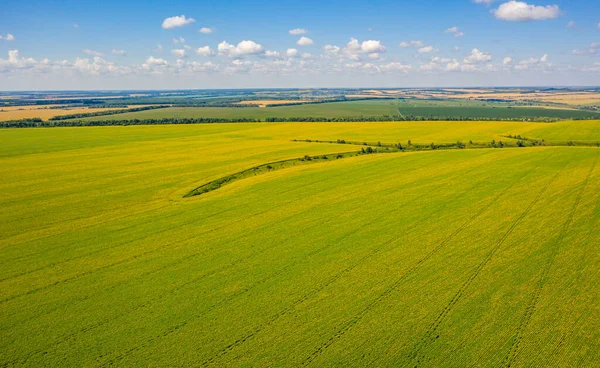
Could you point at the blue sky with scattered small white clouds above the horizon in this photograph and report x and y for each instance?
(115, 44)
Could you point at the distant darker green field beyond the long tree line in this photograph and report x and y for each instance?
(367, 108)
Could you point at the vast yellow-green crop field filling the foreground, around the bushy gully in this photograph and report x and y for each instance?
(471, 257)
